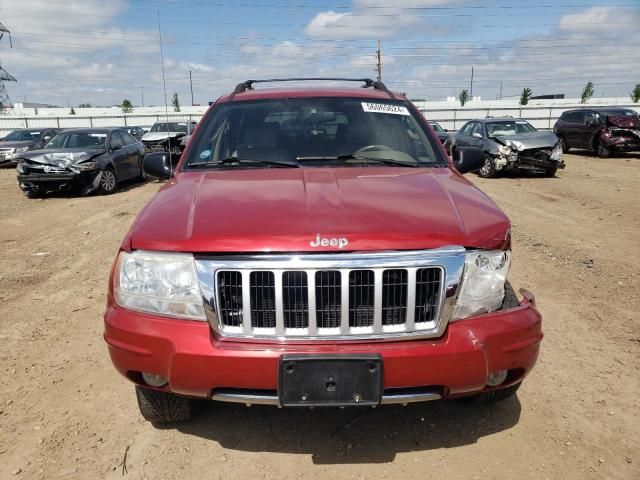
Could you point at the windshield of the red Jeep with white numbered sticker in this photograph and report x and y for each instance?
(312, 131)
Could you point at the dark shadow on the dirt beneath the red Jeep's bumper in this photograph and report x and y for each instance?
(336, 436)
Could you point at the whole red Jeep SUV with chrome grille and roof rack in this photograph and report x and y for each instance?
(317, 247)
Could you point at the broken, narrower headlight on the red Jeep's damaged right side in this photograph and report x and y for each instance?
(482, 289)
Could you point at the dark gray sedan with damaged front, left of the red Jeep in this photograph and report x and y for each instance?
(84, 159)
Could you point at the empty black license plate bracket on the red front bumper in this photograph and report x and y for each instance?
(330, 380)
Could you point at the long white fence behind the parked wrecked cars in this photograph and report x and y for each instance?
(541, 117)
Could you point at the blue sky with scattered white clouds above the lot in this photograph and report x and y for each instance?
(67, 52)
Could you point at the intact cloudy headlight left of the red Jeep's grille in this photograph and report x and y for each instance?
(159, 282)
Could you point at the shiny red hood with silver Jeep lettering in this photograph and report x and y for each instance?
(318, 209)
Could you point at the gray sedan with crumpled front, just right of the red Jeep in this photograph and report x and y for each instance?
(510, 143)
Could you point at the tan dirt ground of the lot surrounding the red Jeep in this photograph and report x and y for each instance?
(66, 413)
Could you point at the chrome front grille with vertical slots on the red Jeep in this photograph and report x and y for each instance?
(331, 296)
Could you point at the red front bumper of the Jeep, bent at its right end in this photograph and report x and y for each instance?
(199, 365)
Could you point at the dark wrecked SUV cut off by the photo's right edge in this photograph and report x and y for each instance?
(603, 130)
